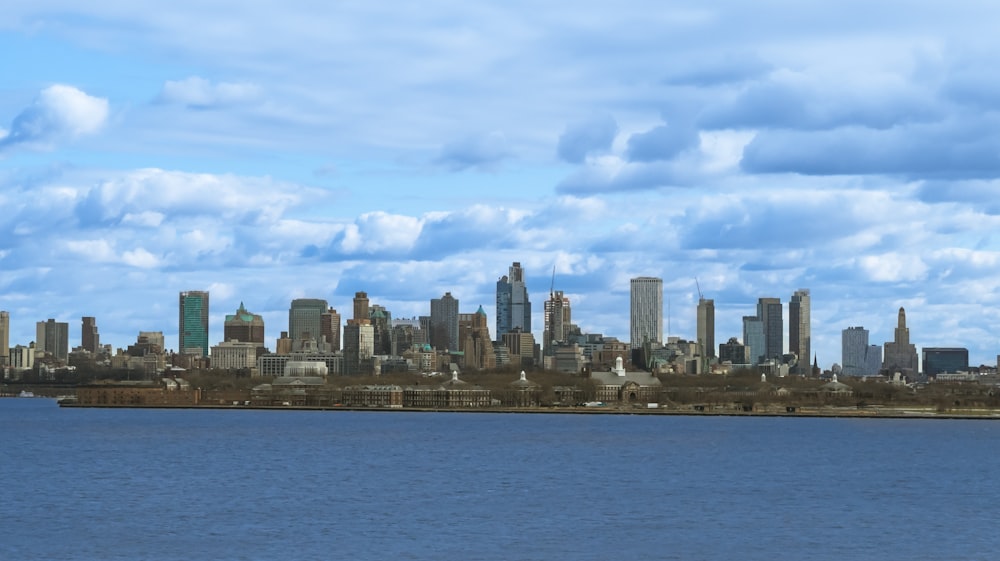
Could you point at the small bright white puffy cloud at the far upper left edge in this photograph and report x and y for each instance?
(60, 112)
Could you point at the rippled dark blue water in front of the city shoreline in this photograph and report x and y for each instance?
(208, 484)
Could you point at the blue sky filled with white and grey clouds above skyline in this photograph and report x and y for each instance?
(267, 151)
